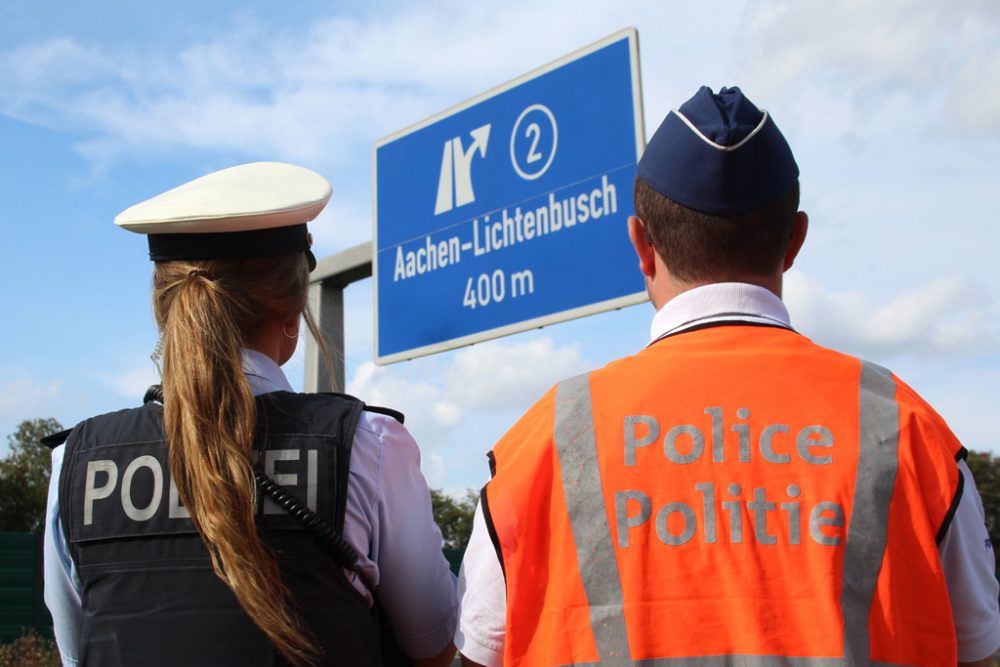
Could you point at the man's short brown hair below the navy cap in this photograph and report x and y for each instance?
(696, 246)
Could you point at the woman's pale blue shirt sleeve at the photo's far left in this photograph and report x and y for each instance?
(62, 585)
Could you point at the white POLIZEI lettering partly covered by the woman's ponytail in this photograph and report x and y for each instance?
(105, 477)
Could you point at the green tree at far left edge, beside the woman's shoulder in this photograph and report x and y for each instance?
(24, 476)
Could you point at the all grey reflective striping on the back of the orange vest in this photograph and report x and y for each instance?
(863, 551)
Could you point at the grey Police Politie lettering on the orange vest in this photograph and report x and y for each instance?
(677, 522)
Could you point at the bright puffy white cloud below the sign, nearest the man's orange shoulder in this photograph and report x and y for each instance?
(500, 374)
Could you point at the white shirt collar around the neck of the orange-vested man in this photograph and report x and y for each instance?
(718, 302)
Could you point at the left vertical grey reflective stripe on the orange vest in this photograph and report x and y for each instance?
(595, 553)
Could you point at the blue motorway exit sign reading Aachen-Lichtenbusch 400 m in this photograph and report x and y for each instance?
(508, 212)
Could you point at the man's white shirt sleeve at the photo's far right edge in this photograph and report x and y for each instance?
(969, 567)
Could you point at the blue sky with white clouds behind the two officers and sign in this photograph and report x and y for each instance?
(892, 109)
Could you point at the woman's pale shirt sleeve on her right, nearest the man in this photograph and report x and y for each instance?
(389, 518)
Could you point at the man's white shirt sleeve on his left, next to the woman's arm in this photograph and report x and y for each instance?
(482, 599)
